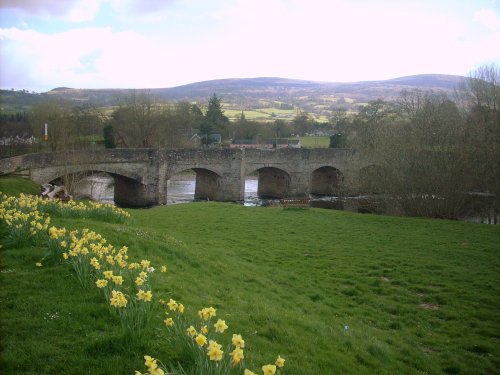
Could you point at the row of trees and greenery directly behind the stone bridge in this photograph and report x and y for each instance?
(142, 120)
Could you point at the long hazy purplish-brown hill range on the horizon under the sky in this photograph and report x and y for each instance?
(254, 93)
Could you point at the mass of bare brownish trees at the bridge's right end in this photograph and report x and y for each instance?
(432, 156)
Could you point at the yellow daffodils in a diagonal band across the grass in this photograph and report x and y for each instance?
(126, 285)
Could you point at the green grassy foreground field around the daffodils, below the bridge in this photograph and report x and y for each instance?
(331, 292)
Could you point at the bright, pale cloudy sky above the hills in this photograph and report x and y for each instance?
(165, 43)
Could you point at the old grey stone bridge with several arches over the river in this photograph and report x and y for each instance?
(141, 175)
